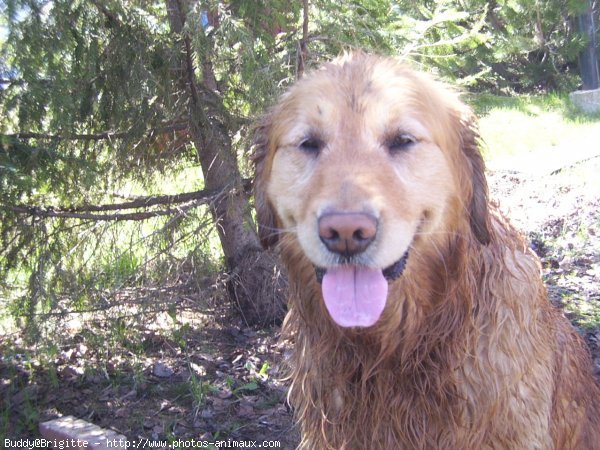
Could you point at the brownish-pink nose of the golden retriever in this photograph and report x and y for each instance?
(347, 233)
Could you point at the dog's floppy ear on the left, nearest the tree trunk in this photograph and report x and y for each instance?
(265, 215)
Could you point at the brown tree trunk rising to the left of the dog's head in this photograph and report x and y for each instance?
(255, 283)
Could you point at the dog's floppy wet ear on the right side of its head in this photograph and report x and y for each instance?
(478, 207)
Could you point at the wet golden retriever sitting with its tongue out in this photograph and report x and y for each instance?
(418, 314)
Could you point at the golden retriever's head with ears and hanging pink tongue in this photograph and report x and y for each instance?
(357, 161)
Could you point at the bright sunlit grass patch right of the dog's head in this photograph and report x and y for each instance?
(513, 126)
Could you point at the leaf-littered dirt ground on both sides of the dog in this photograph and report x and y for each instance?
(217, 380)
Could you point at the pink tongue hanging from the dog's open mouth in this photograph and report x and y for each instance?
(354, 296)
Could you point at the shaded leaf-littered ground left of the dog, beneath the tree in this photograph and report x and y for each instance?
(204, 380)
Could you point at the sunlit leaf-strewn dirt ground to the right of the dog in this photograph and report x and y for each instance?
(557, 207)
